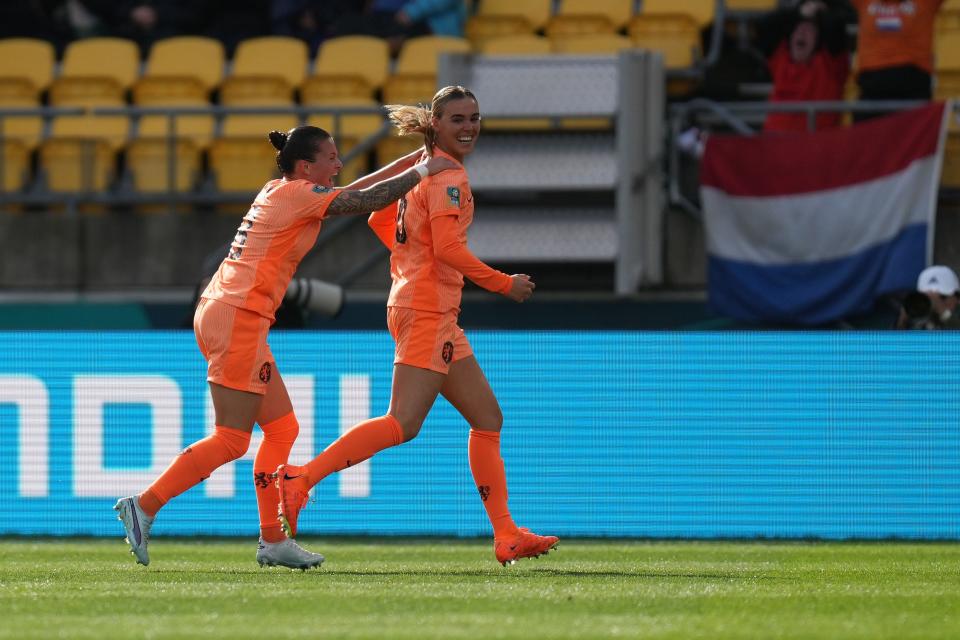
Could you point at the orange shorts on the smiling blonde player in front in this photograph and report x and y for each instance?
(426, 339)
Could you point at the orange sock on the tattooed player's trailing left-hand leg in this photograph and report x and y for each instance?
(194, 464)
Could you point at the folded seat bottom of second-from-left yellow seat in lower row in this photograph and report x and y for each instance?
(76, 165)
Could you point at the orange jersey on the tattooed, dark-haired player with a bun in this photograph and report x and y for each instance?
(278, 230)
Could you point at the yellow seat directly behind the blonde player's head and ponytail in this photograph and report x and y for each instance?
(415, 77)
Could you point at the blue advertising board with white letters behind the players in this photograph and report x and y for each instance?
(634, 434)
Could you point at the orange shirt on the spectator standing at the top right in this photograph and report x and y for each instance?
(895, 34)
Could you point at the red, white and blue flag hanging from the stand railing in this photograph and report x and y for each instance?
(810, 228)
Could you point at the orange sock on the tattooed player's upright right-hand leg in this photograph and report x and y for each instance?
(278, 439)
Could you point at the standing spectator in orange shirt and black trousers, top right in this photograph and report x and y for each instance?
(895, 49)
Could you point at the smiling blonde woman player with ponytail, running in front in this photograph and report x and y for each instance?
(426, 232)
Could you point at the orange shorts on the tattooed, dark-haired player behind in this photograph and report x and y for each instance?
(234, 343)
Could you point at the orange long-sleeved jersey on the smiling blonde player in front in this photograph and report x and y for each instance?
(428, 250)
